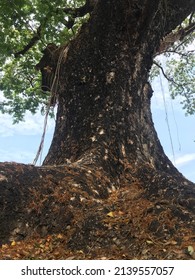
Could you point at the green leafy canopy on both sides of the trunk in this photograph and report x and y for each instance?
(27, 27)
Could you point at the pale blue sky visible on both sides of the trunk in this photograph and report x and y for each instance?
(20, 142)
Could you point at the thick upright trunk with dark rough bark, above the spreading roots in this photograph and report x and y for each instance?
(104, 115)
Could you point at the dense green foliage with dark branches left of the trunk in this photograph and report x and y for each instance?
(25, 22)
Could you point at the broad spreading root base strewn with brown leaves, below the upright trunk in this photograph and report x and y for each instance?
(77, 213)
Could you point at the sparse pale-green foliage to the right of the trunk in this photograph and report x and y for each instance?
(179, 69)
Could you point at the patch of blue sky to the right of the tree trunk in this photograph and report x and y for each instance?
(175, 130)
